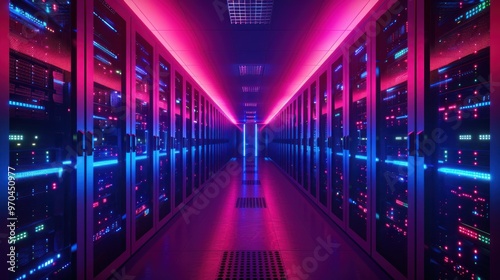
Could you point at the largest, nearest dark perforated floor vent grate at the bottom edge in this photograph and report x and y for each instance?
(251, 265)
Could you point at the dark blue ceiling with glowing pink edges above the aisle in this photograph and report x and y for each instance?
(301, 35)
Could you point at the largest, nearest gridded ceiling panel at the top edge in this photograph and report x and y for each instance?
(250, 11)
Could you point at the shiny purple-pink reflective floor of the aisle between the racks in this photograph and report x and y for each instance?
(193, 244)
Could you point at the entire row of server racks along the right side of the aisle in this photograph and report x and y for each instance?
(391, 138)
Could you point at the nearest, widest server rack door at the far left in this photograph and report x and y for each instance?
(41, 175)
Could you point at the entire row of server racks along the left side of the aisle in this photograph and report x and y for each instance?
(108, 137)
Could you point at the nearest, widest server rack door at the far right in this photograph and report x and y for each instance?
(456, 141)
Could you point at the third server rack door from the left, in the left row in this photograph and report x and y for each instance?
(142, 128)
